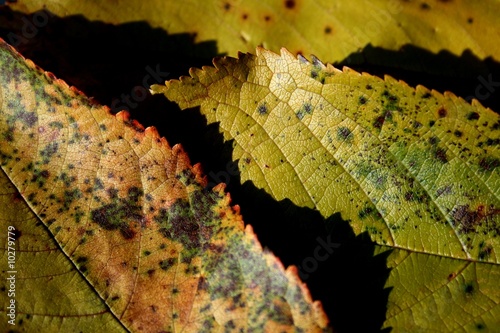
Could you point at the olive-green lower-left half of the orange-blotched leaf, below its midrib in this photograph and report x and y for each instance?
(65, 303)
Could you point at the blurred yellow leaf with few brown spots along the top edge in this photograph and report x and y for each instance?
(330, 30)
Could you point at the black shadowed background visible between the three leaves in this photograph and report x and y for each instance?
(106, 61)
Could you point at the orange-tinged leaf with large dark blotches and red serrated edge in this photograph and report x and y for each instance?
(127, 214)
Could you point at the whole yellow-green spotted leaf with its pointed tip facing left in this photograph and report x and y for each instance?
(416, 169)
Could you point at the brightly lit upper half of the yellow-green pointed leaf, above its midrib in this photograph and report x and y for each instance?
(373, 134)
